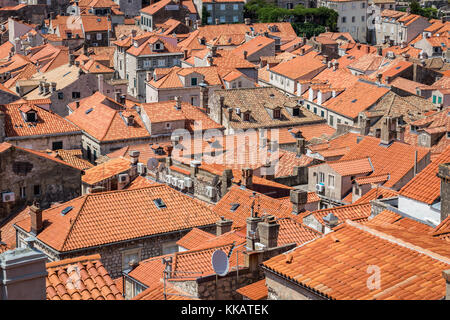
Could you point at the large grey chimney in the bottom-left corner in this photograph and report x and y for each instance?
(23, 272)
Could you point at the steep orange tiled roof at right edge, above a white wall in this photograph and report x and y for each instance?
(426, 186)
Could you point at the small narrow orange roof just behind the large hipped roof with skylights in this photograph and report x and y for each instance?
(106, 170)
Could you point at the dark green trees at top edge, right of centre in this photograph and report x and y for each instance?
(311, 21)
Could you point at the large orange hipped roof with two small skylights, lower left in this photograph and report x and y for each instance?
(108, 217)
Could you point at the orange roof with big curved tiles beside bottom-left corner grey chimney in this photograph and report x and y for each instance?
(81, 278)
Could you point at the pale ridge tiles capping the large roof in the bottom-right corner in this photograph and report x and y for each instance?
(399, 242)
